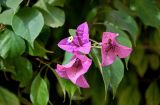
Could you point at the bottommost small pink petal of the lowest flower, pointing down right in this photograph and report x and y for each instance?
(81, 82)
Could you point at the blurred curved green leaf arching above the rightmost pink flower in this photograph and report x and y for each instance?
(124, 22)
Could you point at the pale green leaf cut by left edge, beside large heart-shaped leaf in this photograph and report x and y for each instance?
(6, 17)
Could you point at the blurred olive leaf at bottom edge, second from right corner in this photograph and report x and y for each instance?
(129, 96)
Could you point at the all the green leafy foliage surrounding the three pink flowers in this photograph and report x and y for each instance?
(31, 29)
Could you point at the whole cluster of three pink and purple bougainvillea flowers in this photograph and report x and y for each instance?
(80, 45)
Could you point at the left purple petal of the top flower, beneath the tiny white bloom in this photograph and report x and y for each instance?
(65, 45)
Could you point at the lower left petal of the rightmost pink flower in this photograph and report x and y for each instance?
(108, 57)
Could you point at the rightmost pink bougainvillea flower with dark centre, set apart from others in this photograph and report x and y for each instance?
(111, 48)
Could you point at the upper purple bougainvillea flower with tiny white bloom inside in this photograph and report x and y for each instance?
(78, 43)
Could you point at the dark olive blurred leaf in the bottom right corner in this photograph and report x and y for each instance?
(152, 94)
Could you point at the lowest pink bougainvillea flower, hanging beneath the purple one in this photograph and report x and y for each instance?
(75, 70)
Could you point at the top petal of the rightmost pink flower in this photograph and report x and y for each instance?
(108, 35)
